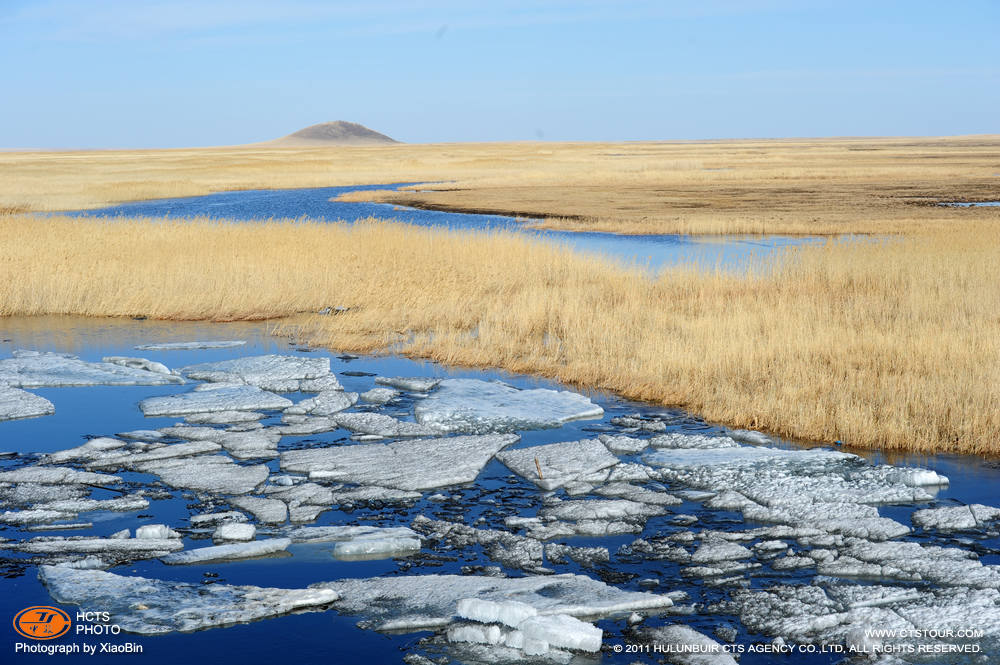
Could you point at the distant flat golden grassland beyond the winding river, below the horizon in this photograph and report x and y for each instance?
(822, 186)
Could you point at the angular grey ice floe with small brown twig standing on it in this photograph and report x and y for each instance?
(559, 463)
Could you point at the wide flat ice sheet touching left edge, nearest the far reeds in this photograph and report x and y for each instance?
(27, 369)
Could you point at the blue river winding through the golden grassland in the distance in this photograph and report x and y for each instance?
(654, 251)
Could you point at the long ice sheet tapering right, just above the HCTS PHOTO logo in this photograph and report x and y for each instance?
(150, 607)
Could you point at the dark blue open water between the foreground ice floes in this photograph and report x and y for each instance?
(328, 636)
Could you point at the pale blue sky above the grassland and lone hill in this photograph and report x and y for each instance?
(170, 73)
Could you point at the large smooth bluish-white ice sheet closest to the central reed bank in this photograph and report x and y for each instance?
(477, 407)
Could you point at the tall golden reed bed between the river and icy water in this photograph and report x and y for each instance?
(888, 344)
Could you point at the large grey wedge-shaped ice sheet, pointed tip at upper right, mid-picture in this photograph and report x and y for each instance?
(406, 465)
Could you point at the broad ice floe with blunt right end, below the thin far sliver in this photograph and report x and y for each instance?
(271, 372)
